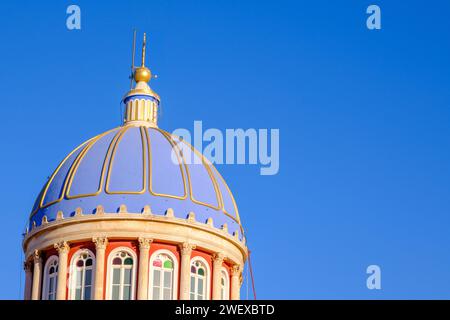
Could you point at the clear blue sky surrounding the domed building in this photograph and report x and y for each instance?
(364, 119)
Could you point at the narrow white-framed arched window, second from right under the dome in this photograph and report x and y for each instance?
(199, 279)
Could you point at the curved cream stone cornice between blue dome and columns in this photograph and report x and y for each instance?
(133, 226)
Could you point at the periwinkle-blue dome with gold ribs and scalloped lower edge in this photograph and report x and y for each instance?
(137, 168)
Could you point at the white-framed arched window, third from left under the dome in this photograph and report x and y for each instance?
(121, 274)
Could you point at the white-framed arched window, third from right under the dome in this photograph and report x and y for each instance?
(163, 279)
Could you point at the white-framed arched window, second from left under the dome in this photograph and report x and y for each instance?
(82, 275)
